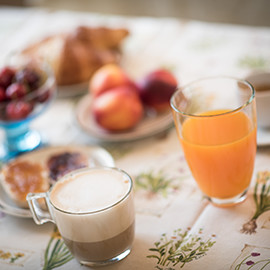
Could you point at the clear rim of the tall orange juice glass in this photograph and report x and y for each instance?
(180, 89)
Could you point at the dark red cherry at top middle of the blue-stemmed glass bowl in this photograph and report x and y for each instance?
(30, 77)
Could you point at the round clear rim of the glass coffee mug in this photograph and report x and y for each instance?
(78, 171)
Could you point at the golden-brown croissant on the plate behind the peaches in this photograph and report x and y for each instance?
(75, 56)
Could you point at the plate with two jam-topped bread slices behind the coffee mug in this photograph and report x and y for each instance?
(37, 171)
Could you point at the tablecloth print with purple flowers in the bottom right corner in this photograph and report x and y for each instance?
(252, 257)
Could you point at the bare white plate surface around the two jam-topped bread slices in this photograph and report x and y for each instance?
(97, 157)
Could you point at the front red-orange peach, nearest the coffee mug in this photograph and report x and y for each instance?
(117, 109)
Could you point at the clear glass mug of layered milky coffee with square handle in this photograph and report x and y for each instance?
(93, 209)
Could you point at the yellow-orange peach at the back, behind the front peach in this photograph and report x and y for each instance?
(107, 77)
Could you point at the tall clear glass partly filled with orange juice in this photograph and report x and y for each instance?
(215, 119)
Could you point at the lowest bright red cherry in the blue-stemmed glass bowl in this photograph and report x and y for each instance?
(17, 110)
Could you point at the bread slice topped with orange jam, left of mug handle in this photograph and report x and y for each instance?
(22, 177)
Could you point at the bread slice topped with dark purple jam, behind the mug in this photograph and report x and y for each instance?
(62, 163)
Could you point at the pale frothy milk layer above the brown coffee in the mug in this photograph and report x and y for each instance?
(90, 190)
